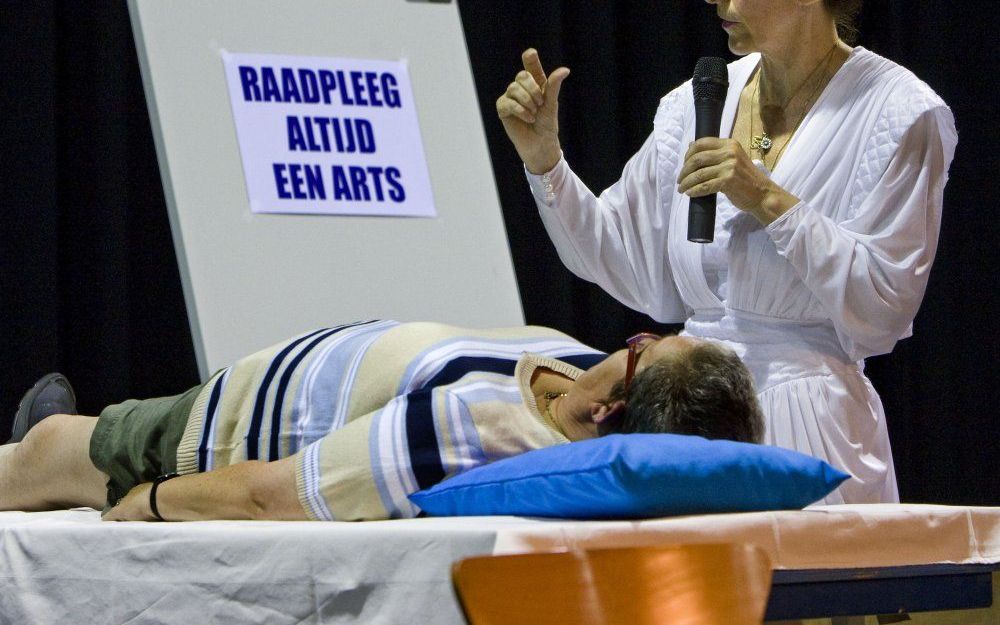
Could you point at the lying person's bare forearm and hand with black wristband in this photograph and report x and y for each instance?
(246, 490)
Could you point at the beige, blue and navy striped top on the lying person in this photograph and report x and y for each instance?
(375, 411)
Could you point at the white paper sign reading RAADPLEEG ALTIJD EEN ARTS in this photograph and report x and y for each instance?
(328, 136)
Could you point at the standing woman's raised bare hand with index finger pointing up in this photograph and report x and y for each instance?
(529, 110)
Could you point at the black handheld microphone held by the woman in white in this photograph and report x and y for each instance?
(710, 84)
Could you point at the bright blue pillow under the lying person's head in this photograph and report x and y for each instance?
(635, 476)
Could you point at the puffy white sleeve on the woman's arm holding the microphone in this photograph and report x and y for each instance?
(870, 271)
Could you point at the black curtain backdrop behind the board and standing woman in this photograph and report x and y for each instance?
(88, 277)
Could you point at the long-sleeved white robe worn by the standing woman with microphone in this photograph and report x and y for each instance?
(804, 300)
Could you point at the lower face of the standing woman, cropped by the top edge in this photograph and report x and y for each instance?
(756, 25)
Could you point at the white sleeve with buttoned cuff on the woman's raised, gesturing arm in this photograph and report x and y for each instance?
(617, 240)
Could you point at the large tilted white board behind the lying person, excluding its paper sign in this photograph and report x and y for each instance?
(252, 279)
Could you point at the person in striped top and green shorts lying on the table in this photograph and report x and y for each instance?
(344, 423)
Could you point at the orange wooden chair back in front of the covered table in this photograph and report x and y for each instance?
(676, 585)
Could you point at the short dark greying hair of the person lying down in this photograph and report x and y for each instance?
(705, 390)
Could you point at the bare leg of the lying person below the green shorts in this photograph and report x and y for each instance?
(51, 468)
